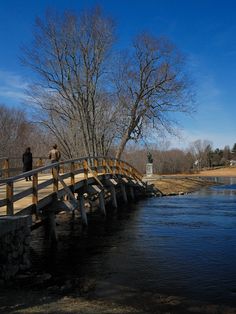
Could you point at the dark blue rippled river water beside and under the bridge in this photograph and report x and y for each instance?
(179, 245)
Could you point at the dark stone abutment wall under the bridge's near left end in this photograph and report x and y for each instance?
(14, 245)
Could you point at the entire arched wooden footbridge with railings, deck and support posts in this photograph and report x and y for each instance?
(66, 185)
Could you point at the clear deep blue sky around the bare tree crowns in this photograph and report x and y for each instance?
(204, 30)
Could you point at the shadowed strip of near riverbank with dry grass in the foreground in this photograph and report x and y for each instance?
(129, 302)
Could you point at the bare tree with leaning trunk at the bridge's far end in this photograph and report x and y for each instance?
(150, 84)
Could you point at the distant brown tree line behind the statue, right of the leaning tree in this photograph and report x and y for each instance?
(199, 155)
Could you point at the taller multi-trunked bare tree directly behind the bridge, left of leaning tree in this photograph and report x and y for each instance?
(69, 54)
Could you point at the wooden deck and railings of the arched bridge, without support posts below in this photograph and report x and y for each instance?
(18, 196)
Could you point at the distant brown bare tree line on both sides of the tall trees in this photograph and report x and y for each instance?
(17, 131)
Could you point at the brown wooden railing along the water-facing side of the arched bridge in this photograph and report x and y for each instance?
(88, 166)
